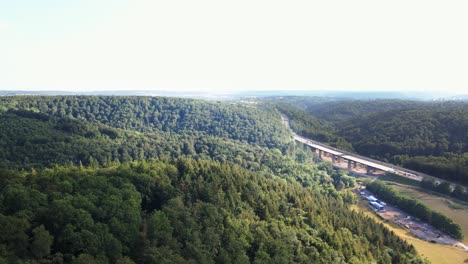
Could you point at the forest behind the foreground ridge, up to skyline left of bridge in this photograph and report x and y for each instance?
(43, 131)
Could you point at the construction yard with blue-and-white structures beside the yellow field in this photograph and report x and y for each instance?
(416, 227)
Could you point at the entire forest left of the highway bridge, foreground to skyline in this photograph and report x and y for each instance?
(165, 180)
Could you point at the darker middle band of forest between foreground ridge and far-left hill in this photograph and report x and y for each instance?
(27, 142)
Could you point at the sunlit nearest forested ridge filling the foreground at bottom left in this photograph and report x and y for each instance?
(210, 213)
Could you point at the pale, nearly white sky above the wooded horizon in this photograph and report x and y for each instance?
(87, 45)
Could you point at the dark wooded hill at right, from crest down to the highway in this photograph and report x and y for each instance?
(431, 141)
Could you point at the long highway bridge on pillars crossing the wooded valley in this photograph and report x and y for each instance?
(354, 162)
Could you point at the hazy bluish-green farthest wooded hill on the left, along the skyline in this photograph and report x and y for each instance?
(161, 114)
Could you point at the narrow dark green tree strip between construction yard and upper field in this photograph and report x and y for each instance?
(415, 208)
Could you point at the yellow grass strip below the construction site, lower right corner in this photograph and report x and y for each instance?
(435, 253)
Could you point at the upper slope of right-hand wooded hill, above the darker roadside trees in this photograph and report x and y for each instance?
(411, 132)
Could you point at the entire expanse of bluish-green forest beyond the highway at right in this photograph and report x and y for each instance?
(430, 137)
